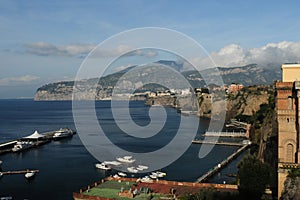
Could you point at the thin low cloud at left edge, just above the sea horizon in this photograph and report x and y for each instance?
(26, 79)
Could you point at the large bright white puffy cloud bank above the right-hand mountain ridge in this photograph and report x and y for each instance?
(272, 53)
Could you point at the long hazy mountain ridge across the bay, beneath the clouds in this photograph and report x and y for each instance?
(155, 73)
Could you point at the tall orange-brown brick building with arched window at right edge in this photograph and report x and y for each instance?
(288, 116)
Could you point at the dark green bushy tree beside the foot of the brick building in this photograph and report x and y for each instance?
(253, 177)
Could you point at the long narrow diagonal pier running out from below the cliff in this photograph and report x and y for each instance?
(219, 166)
